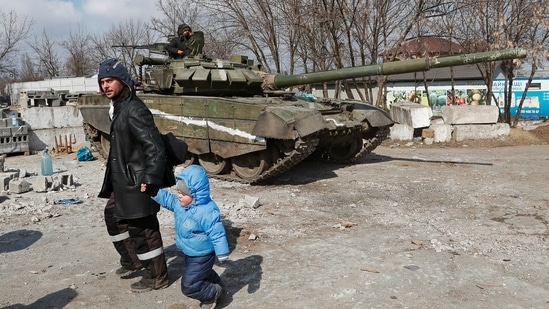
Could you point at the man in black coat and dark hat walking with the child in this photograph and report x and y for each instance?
(137, 156)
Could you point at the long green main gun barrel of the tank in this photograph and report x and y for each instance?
(391, 68)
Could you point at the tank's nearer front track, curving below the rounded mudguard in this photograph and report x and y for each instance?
(304, 147)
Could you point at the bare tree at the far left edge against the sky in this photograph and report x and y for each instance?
(12, 31)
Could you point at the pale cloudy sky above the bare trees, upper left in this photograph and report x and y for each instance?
(96, 16)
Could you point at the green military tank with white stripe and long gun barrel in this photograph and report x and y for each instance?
(242, 125)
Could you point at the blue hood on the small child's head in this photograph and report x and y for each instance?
(197, 181)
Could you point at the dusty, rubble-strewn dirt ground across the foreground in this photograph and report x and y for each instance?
(409, 227)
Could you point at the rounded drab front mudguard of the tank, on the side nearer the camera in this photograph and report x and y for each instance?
(284, 122)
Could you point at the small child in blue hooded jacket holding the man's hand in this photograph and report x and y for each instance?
(199, 234)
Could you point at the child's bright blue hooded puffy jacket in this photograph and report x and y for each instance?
(198, 226)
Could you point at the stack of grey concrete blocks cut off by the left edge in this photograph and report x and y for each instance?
(13, 137)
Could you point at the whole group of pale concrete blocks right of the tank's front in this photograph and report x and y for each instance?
(461, 123)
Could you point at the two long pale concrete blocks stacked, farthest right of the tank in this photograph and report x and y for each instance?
(474, 122)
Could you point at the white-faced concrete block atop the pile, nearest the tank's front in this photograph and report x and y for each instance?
(412, 114)
